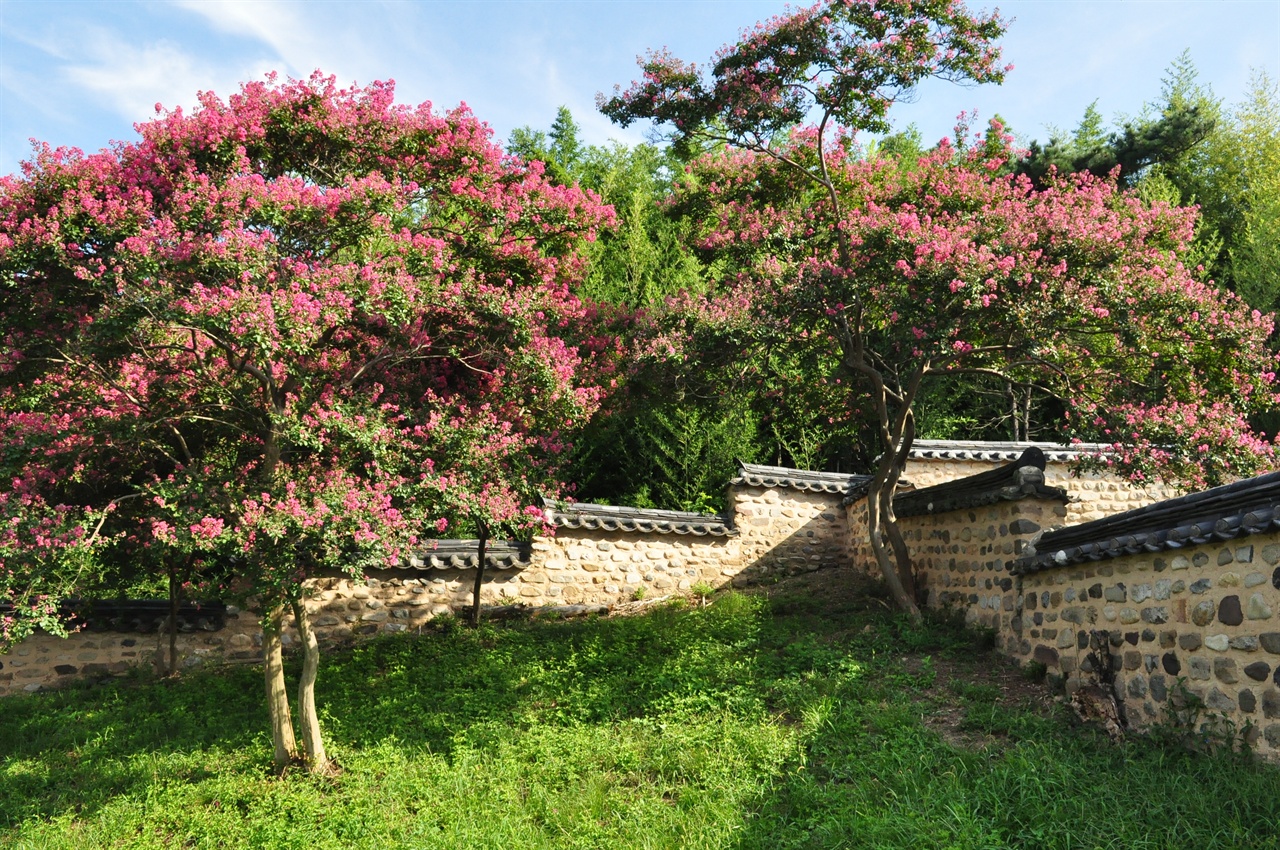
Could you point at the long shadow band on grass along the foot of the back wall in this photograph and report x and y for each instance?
(75, 751)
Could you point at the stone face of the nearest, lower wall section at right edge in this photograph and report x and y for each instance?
(1205, 615)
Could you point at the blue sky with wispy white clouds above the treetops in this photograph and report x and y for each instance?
(83, 72)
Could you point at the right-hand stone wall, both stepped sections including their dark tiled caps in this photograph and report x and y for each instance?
(1168, 607)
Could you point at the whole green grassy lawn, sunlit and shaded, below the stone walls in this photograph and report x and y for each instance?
(806, 718)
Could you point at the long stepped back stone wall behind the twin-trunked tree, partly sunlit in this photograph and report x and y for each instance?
(772, 531)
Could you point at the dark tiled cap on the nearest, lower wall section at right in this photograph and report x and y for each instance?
(1226, 513)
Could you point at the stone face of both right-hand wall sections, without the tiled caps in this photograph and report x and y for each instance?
(1203, 618)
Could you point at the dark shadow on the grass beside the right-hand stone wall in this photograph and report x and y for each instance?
(881, 778)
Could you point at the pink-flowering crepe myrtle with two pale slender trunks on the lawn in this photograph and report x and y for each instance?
(287, 333)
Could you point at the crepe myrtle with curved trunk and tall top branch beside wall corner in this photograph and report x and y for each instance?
(945, 268)
